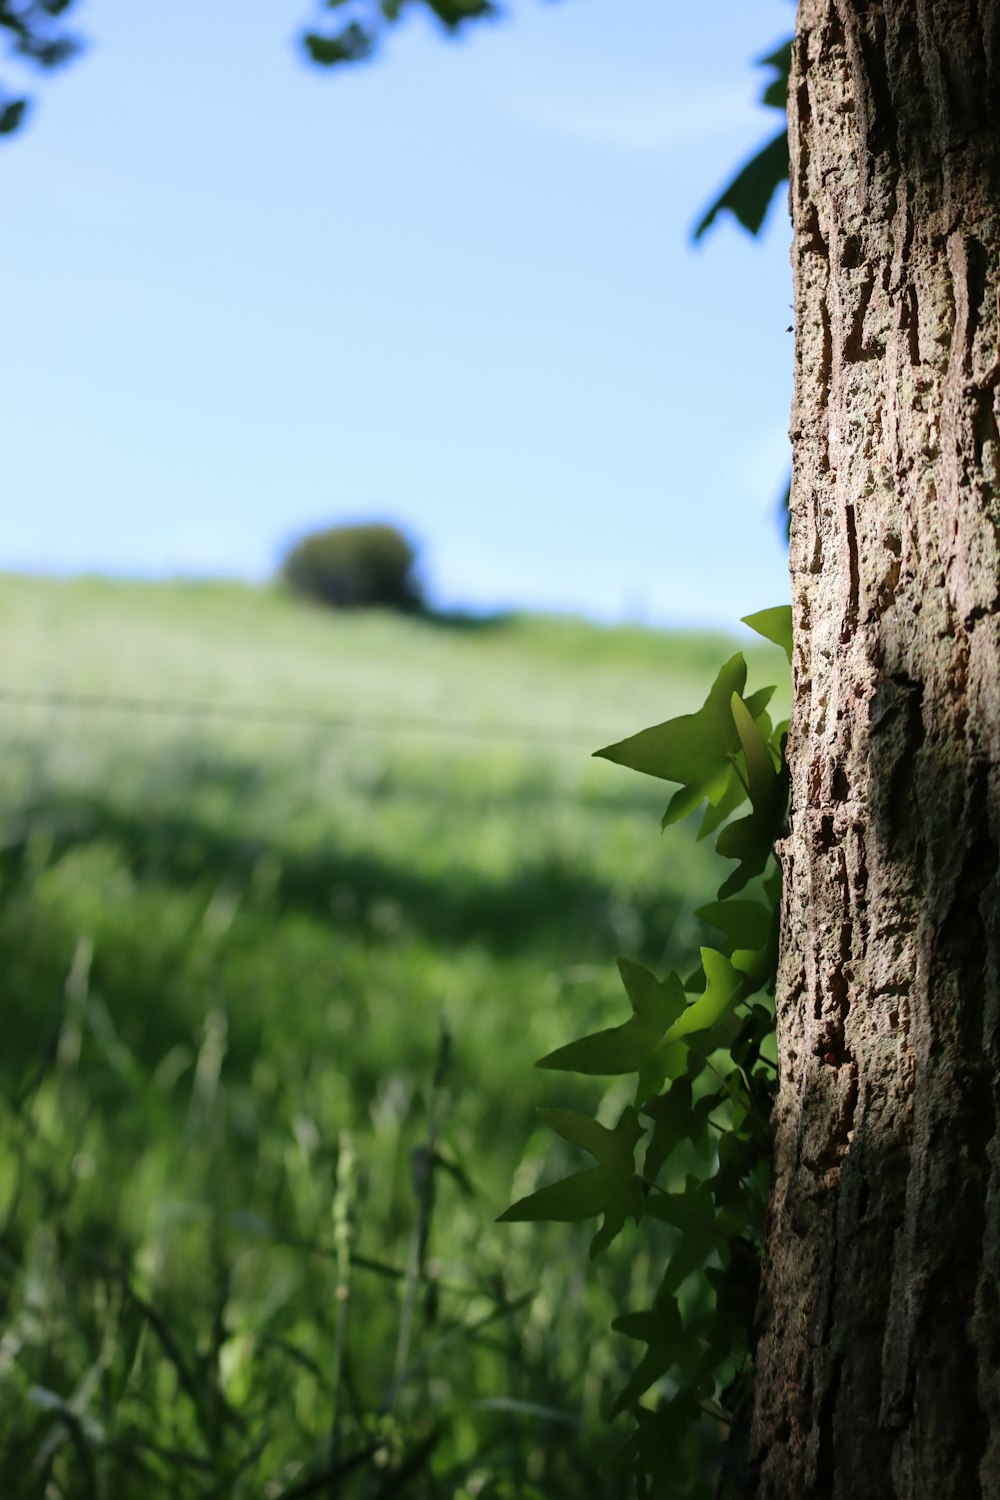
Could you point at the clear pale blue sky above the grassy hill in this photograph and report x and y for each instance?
(454, 289)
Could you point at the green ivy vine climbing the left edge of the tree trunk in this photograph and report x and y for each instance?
(692, 1151)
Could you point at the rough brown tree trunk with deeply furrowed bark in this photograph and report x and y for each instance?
(879, 1322)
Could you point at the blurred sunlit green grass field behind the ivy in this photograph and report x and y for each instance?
(247, 1195)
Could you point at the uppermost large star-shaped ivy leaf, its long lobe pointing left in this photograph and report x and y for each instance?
(693, 749)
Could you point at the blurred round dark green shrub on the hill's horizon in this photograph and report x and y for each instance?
(353, 568)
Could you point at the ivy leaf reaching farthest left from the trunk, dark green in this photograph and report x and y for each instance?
(611, 1189)
